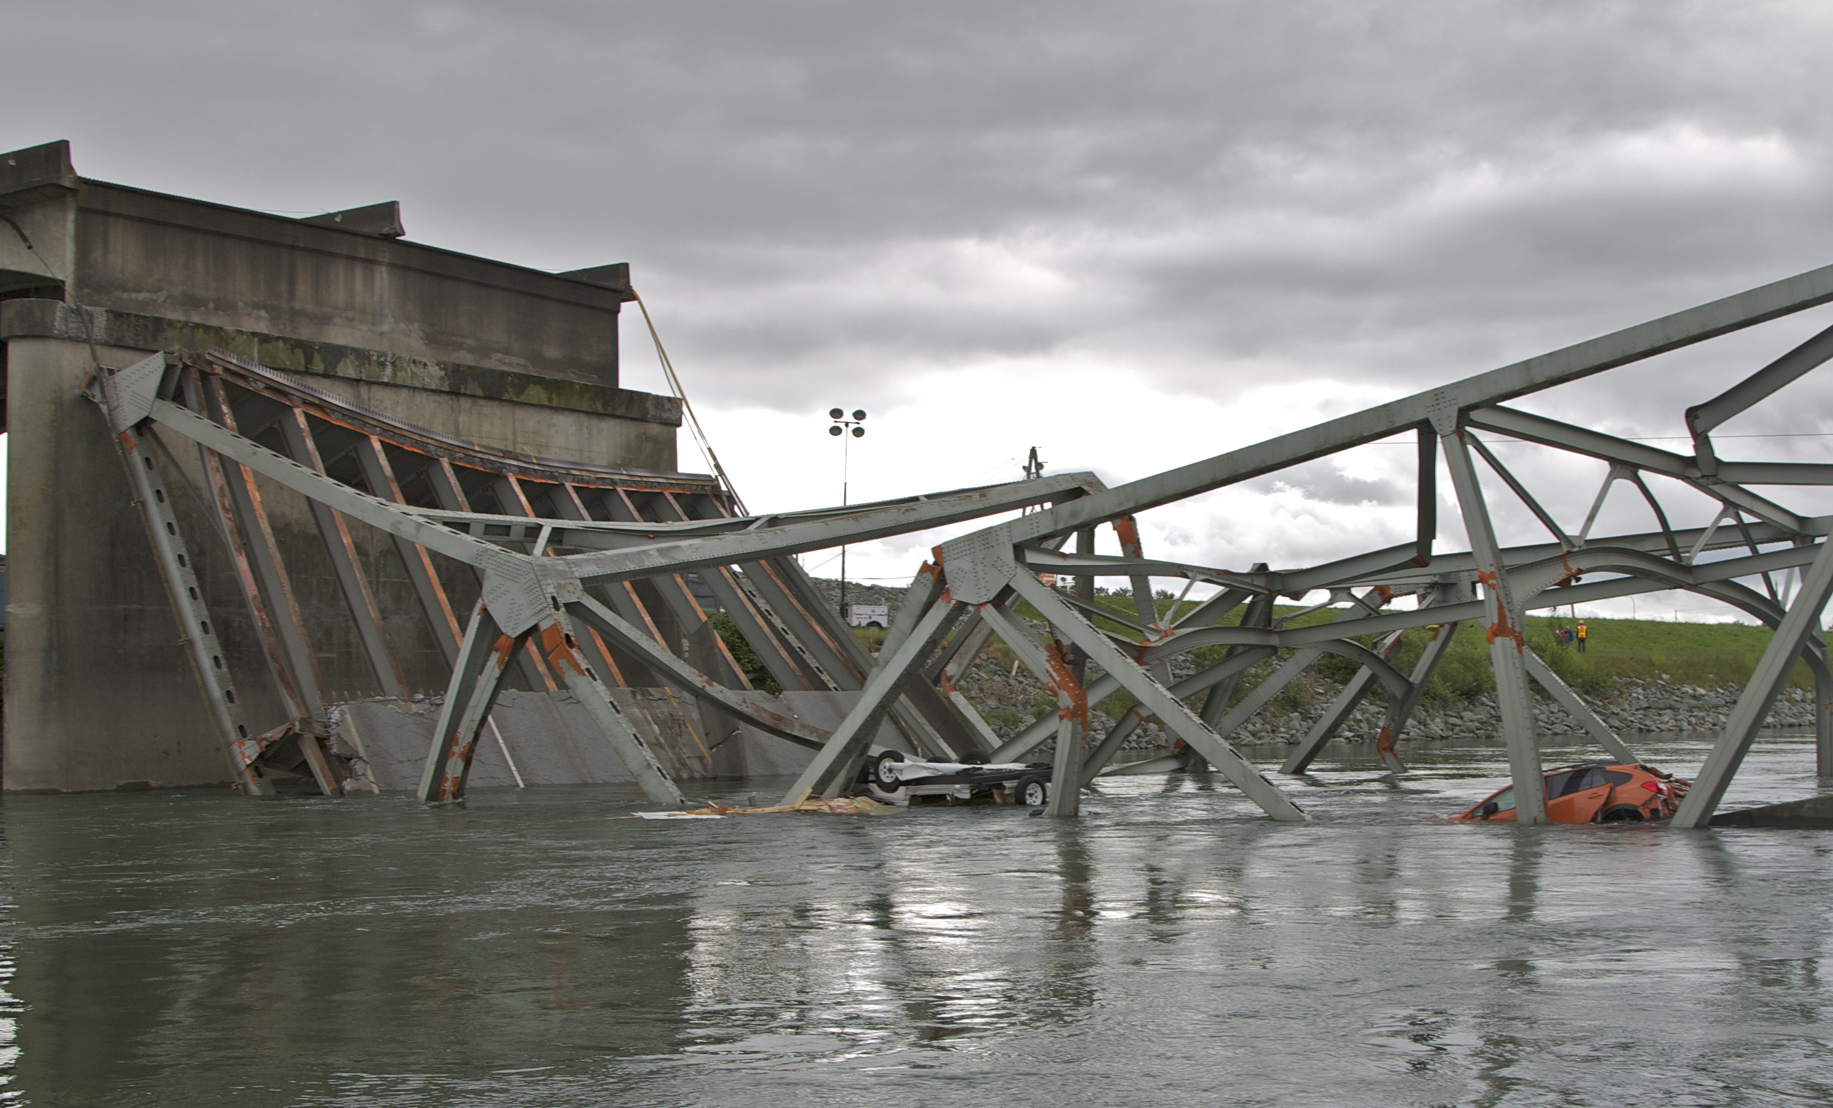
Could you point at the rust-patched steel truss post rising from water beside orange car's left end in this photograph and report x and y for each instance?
(1504, 625)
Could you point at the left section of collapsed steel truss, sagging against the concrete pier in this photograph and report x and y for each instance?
(571, 575)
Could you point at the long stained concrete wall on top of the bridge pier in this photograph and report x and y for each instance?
(225, 267)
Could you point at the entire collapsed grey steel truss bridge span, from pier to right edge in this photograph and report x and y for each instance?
(562, 566)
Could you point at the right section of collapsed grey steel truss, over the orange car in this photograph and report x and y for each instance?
(1751, 538)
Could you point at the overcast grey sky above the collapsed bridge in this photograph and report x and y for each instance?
(1126, 234)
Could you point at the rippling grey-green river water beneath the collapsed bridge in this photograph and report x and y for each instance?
(1170, 947)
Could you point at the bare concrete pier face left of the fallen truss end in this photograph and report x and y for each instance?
(98, 687)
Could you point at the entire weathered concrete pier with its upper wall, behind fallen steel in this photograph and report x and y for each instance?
(100, 692)
